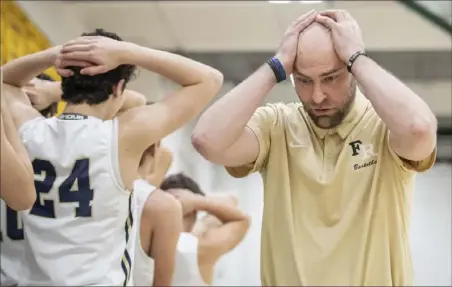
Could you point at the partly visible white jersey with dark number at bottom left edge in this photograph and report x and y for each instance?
(11, 246)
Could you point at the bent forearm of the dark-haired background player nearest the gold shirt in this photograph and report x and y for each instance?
(223, 211)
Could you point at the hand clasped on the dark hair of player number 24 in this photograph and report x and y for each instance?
(95, 54)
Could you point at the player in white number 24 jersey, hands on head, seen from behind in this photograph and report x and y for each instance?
(79, 229)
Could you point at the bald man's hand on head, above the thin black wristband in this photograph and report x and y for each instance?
(345, 32)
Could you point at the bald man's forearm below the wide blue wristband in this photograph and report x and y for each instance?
(222, 123)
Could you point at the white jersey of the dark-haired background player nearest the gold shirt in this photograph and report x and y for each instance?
(186, 271)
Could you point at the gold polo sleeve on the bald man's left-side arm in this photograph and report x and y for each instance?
(261, 124)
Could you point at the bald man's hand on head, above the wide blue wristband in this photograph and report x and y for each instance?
(287, 50)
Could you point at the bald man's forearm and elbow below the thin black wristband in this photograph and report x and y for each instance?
(412, 126)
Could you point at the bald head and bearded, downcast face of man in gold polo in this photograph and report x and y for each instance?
(321, 80)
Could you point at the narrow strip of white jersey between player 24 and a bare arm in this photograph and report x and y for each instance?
(143, 267)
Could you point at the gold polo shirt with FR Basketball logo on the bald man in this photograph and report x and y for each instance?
(336, 202)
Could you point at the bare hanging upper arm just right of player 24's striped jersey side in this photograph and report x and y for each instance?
(165, 213)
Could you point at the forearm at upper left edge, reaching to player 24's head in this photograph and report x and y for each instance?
(21, 71)
